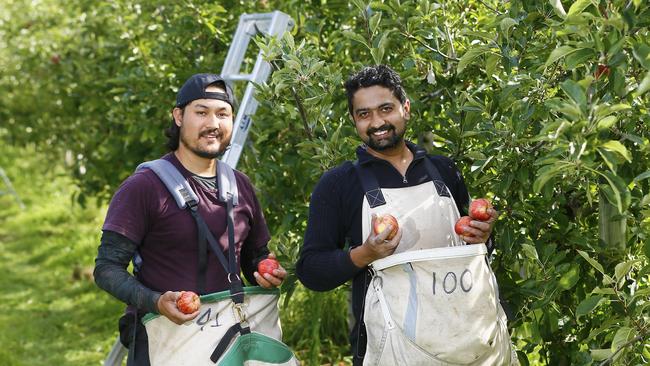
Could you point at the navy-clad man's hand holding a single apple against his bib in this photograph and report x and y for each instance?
(376, 246)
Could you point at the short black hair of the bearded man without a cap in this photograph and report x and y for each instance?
(381, 75)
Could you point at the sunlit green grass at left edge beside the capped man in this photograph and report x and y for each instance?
(52, 312)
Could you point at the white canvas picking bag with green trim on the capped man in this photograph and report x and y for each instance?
(199, 342)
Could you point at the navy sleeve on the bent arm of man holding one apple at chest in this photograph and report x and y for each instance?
(323, 263)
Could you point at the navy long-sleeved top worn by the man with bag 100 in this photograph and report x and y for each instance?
(334, 224)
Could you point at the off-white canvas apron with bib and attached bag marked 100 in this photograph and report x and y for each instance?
(435, 300)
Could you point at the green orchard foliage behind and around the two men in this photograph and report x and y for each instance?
(543, 105)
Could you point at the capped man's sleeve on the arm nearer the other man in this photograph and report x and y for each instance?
(254, 248)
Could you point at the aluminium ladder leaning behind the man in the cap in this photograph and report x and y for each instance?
(270, 24)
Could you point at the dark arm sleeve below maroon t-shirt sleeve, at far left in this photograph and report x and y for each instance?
(113, 257)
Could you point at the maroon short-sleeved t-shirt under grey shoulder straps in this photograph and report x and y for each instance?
(144, 211)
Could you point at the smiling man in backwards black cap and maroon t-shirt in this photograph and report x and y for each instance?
(143, 218)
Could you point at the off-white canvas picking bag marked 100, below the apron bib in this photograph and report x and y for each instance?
(436, 307)
